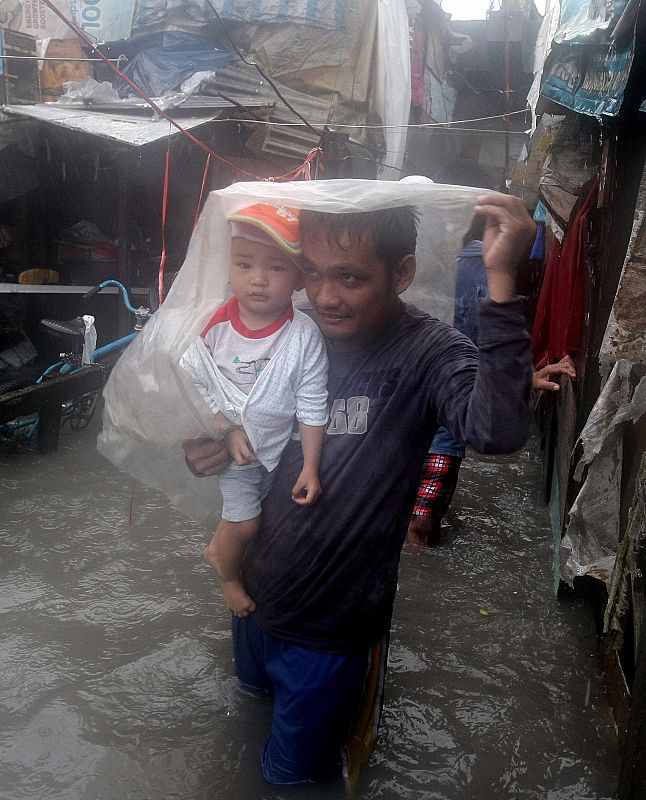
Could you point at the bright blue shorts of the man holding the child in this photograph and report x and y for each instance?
(316, 697)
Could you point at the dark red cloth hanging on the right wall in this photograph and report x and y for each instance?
(558, 325)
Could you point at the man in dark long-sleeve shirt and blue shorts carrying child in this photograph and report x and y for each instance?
(323, 578)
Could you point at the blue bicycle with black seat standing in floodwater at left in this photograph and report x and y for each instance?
(79, 410)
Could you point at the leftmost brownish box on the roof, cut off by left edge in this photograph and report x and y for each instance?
(19, 81)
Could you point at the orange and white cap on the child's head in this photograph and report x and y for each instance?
(280, 224)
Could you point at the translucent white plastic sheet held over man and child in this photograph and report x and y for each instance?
(150, 405)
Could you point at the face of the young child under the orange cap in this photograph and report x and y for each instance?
(263, 278)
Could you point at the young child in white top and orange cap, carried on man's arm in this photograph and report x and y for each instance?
(258, 363)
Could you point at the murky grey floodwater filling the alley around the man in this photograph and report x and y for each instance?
(115, 665)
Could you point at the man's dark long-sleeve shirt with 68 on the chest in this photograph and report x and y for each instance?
(325, 576)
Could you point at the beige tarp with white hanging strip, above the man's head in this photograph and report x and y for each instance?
(361, 72)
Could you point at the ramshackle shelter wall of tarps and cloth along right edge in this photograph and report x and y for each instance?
(585, 162)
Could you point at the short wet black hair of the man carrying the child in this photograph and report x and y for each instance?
(393, 230)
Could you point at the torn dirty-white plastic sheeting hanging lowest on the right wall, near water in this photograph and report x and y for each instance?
(590, 542)
